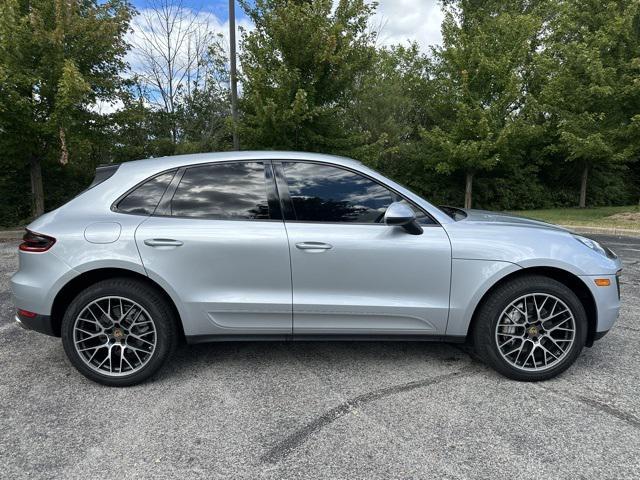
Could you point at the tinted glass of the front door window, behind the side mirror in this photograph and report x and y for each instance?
(321, 193)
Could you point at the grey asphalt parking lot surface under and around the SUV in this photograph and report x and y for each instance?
(323, 410)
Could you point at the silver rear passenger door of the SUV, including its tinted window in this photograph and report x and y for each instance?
(218, 243)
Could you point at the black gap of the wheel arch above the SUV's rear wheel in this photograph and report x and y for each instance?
(73, 287)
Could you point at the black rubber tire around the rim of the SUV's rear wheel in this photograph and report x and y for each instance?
(146, 296)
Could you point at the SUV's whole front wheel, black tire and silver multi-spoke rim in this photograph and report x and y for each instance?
(531, 328)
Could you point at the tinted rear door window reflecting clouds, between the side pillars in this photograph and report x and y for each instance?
(231, 191)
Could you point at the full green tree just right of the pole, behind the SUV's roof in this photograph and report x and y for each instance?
(300, 66)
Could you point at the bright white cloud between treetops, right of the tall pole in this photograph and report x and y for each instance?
(404, 21)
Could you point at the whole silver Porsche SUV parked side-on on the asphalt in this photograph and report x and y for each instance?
(287, 245)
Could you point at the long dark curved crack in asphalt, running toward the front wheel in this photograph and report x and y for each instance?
(291, 442)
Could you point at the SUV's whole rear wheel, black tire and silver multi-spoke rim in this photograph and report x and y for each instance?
(119, 332)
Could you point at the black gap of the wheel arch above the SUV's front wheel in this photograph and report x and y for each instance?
(572, 281)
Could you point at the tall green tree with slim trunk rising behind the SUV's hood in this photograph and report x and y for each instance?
(480, 76)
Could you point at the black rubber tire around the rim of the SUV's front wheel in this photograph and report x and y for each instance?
(487, 317)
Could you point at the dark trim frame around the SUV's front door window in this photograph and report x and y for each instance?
(290, 216)
